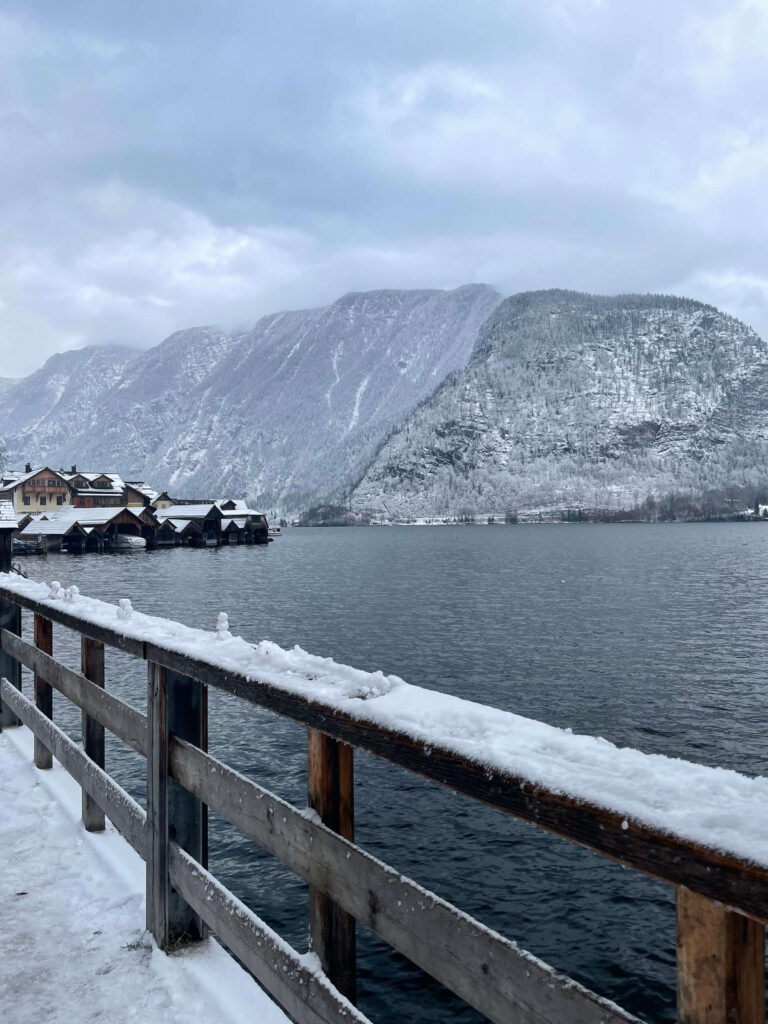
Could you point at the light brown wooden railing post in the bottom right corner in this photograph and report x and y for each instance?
(720, 964)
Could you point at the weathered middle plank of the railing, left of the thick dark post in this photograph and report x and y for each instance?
(122, 720)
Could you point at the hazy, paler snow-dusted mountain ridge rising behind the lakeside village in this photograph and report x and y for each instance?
(286, 413)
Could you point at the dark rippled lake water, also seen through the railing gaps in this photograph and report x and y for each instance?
(653, 636)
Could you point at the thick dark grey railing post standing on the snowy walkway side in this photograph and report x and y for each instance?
(176, 705)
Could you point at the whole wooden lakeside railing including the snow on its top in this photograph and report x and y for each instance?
(702, 830)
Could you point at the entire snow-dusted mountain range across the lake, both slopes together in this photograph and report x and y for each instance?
(418, 403)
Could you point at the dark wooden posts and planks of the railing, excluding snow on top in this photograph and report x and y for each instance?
(722, 901)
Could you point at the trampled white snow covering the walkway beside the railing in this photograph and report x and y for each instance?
(73, 947)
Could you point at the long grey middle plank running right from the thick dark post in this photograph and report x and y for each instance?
(488, 971)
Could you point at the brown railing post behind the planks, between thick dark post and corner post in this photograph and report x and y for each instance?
(331, 794)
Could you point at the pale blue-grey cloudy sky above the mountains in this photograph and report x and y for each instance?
(174, 162)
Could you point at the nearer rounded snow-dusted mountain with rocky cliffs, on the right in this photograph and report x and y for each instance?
(580, 401)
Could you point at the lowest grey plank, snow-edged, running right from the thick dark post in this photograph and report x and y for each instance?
(307, 997)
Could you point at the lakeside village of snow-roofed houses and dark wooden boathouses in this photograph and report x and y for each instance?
(84, 513)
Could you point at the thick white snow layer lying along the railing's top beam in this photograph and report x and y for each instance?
(714, 807)
